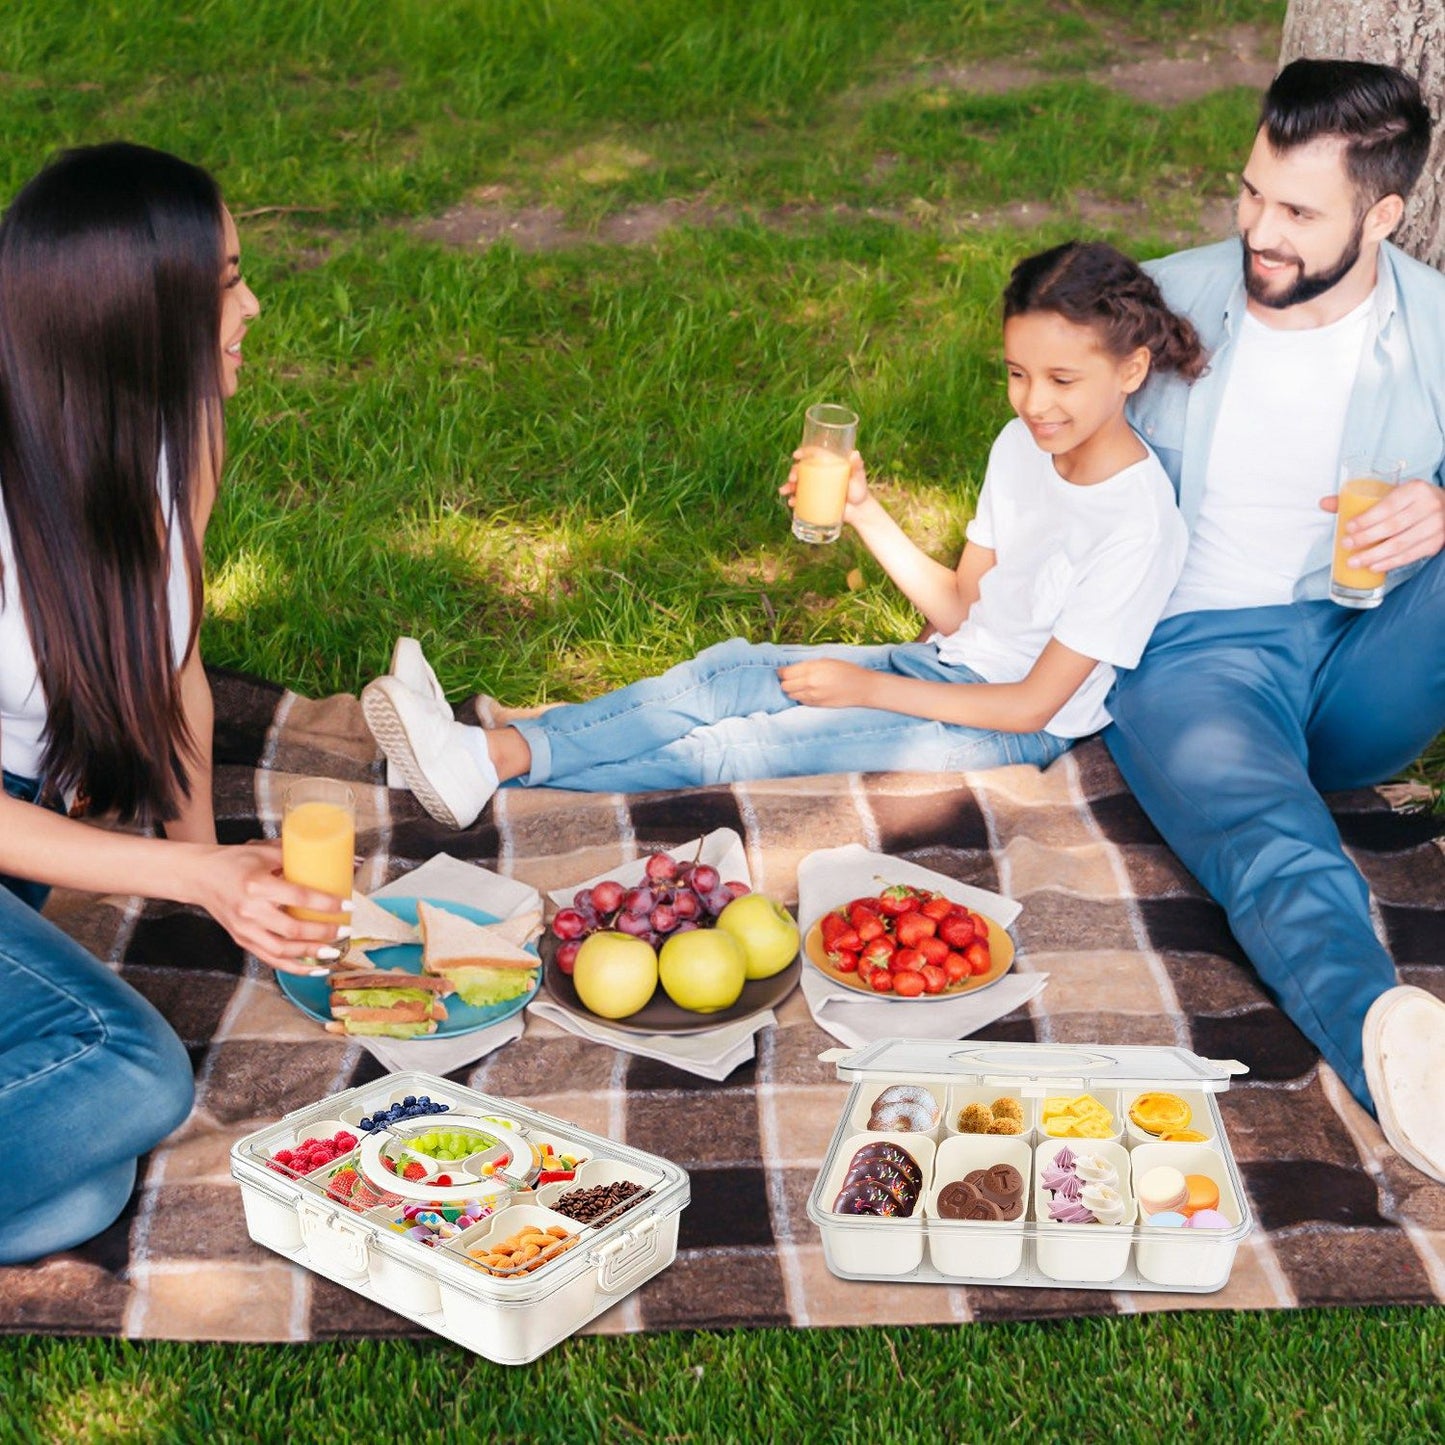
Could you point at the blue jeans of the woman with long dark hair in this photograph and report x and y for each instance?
(92, 1077)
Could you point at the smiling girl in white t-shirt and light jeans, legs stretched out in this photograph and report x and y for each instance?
(1070, 560)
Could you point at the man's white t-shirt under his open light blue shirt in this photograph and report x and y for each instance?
(1275, 453)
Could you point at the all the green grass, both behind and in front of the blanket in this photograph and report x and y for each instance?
(560, 472)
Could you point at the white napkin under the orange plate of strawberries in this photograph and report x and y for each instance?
(834, 876)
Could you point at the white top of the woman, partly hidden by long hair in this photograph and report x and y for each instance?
(22, 700)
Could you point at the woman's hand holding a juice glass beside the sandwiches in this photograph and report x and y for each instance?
(241, 887)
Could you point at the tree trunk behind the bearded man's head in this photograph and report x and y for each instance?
(1410, 34)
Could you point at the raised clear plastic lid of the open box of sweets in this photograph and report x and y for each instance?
(1035, 1067)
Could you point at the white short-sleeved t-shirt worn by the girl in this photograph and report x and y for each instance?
(1089, 566)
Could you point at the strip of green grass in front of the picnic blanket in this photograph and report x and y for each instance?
(1308, 1376)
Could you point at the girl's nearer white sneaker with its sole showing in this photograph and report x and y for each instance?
(421, 739)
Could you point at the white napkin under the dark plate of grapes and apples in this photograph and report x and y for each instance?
(713, 1054)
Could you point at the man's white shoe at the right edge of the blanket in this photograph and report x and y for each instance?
(1405, 1069)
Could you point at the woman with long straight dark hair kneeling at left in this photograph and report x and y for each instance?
(122, 316)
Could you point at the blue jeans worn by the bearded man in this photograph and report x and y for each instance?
(1229, 730)
